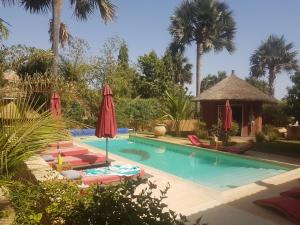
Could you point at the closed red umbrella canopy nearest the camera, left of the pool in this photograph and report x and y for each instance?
(106, 124)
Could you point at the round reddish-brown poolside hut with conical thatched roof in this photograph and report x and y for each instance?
(246, 102)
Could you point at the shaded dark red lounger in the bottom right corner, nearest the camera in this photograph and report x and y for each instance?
(288, 206)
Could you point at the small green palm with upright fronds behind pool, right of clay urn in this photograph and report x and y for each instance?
(178, 108)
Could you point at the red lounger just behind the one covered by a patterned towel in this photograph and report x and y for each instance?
(85, 160)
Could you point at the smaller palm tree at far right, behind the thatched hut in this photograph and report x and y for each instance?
(273, 55)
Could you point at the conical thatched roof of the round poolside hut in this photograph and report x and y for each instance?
(234, 88)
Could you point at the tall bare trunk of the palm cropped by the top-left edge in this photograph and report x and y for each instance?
(56, 13)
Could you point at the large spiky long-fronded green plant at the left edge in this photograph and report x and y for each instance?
(25, 131)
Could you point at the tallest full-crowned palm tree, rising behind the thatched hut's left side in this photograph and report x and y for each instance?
(208, 23)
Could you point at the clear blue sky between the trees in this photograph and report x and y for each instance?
(143, 24)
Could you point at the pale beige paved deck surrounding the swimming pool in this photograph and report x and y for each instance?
(231, 207)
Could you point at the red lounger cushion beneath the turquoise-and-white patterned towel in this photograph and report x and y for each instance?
(107, 179)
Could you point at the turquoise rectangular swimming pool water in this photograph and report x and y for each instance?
(212, 169)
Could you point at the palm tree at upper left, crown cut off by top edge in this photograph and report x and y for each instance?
(82, 8)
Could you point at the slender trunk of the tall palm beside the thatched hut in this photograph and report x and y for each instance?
(198, 75)
